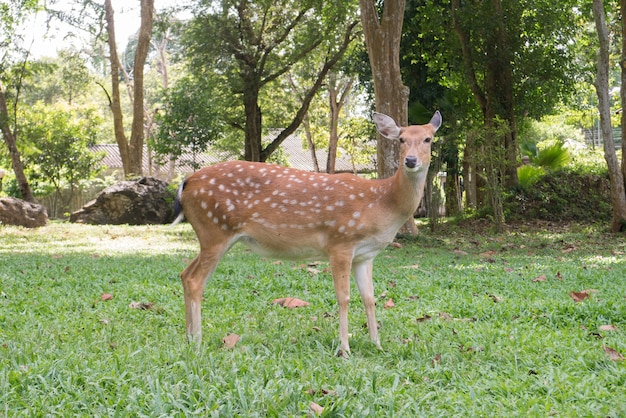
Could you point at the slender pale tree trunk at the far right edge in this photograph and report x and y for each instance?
(618, 192)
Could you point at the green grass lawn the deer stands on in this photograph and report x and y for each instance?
(496, 343)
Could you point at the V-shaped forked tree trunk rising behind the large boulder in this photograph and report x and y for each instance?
(130, 151)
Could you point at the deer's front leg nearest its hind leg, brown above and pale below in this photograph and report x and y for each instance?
(340, 264)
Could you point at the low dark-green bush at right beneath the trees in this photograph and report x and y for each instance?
(563, 195)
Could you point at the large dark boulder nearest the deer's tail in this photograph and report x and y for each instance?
(141, 202)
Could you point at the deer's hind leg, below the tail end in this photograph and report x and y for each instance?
(194, 278)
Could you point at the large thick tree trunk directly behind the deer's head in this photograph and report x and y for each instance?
(382, 39)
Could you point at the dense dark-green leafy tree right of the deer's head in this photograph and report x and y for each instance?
(506, 60)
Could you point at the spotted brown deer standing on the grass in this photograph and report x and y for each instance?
(291, 214)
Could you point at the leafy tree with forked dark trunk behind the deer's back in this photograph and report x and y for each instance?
(255, 43)
